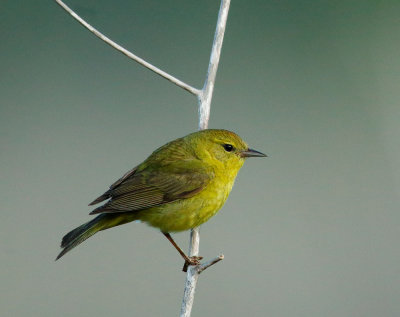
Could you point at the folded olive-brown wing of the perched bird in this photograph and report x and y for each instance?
(155, 185)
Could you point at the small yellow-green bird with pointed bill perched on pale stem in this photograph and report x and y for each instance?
(178, 187)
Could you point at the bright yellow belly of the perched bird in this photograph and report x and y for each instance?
(187, 213)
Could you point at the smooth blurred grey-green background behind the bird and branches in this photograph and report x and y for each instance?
(313, 230)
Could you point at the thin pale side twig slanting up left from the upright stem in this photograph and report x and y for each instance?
(124, 51)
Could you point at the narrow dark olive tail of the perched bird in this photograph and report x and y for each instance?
(85, 231)
